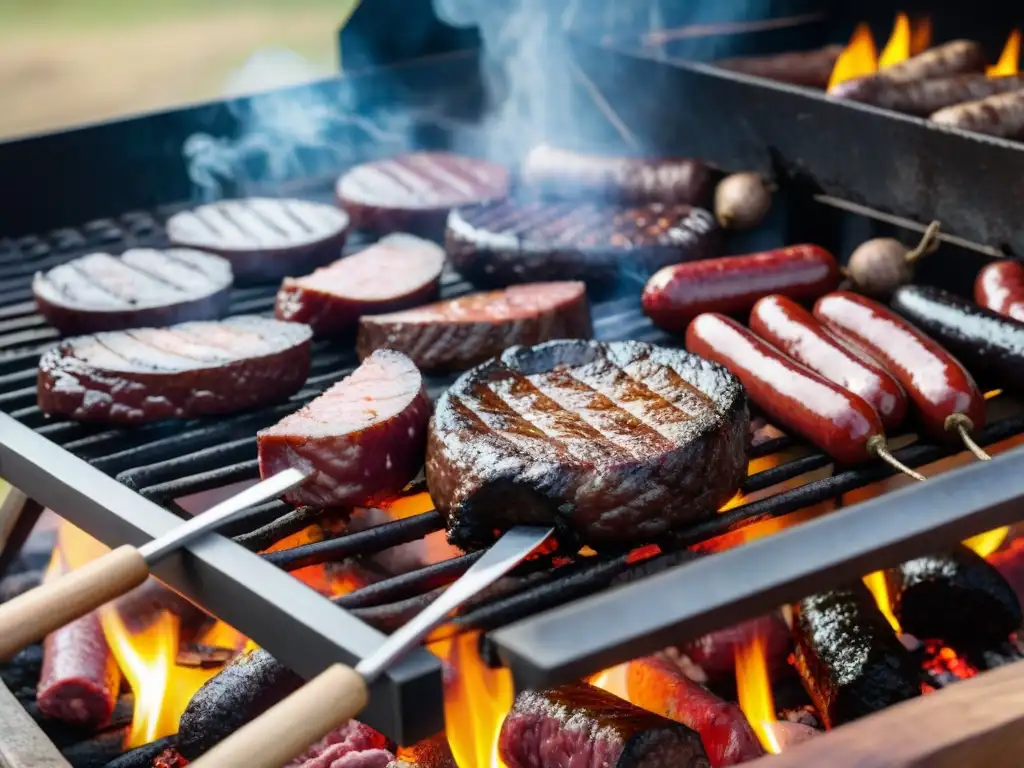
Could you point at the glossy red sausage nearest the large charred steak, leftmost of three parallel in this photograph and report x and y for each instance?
(797, 399)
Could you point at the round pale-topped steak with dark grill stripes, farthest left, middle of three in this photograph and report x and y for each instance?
(141, 288)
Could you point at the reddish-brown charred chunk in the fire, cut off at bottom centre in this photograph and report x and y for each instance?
(582, 726)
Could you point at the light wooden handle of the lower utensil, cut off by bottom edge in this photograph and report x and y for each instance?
(288, 730)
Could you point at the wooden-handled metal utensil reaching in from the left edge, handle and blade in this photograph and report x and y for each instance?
(31, 617)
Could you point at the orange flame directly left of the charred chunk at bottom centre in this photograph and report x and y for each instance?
(477, 701)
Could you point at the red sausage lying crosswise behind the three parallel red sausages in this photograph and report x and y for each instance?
(731, 285)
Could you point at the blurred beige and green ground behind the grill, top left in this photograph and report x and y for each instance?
(68, 62)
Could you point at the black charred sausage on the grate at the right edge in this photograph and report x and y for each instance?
(990, 345)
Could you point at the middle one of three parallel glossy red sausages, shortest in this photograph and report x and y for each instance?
(788, 326)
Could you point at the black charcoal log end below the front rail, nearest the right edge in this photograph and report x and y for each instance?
(956, 598)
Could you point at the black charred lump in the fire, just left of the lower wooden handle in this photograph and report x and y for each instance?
(243, 691)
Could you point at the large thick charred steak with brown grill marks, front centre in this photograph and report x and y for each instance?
(614, 444)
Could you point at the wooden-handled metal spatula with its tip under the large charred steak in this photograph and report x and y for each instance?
(339, 694)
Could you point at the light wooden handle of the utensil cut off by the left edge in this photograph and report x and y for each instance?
(30, 618)
